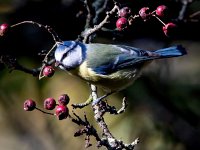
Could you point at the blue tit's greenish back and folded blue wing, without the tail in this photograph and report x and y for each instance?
(106, 59)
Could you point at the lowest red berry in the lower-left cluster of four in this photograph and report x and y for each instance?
(62, 112)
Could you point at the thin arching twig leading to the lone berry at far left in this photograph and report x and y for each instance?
(48, 28)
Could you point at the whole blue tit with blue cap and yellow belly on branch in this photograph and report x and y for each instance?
(111, 67)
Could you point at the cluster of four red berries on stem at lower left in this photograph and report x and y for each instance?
(61, 109)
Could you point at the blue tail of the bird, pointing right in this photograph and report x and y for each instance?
(173, 51)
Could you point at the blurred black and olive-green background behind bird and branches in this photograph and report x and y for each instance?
(164, 103)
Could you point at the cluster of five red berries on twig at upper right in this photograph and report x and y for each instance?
(126, 18)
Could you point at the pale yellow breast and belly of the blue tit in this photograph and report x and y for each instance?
(112, 82)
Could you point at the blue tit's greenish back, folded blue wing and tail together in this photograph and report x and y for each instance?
(105, 59)
